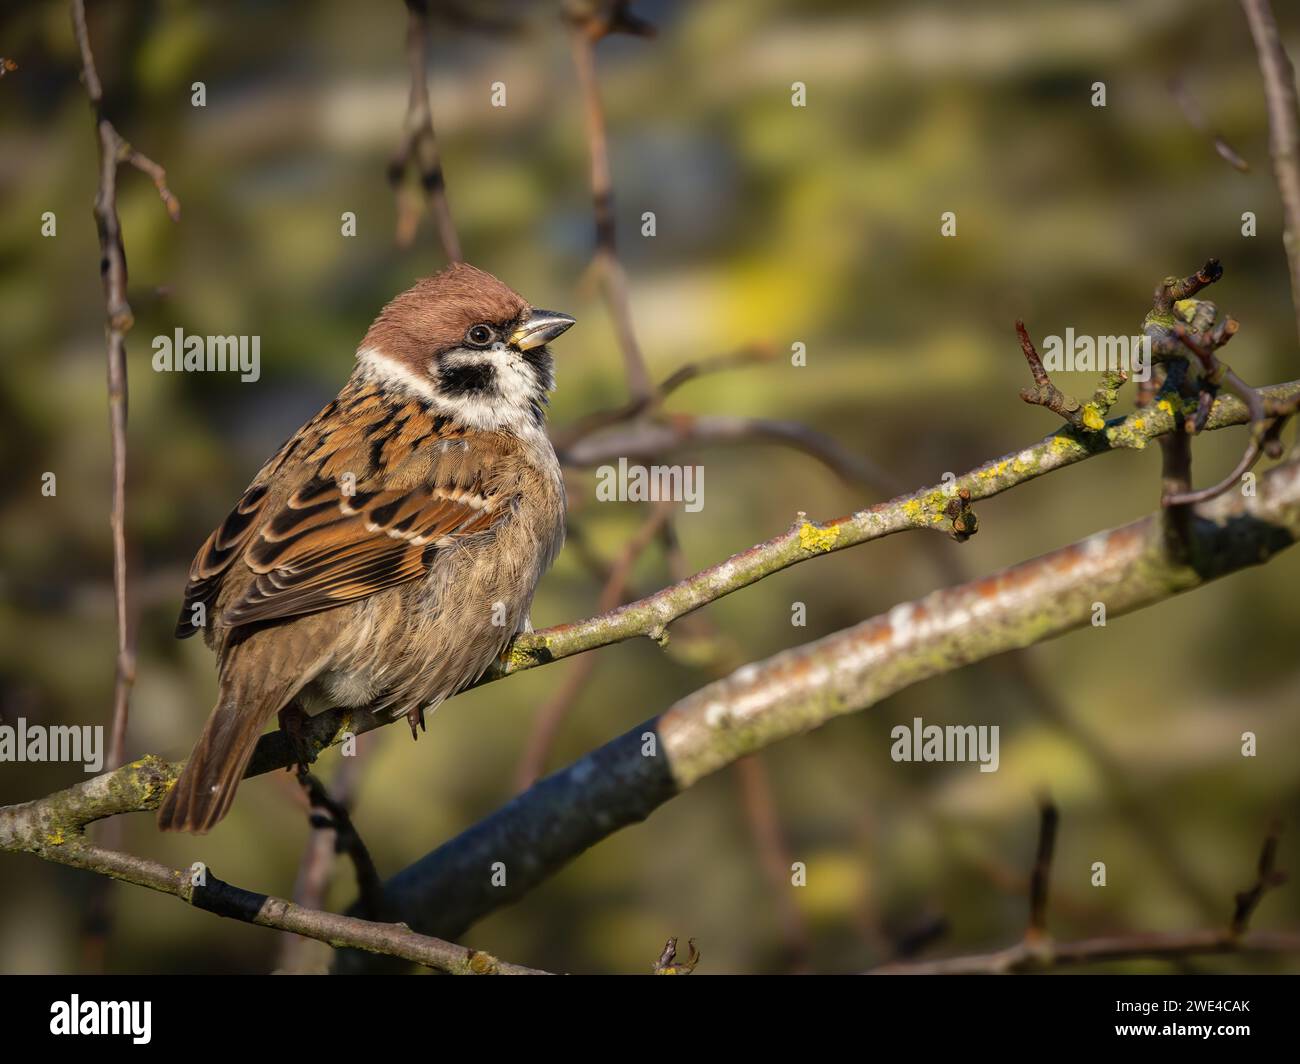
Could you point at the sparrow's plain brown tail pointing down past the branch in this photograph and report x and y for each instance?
(209, 782)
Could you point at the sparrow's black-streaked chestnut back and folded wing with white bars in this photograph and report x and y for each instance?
(421, 490)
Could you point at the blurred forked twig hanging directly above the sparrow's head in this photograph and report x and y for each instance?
(419, 146)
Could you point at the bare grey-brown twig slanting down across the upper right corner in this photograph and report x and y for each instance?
(1280, 93)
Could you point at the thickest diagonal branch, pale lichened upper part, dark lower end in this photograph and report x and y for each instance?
(803, 689)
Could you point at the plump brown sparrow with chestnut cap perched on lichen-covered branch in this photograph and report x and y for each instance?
(389, 552)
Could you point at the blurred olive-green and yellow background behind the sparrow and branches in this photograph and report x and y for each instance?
(775, 224)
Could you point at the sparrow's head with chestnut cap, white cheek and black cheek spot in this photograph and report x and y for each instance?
(470, 345)
